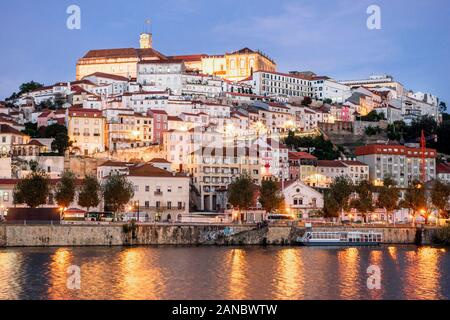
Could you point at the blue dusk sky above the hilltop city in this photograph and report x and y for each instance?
(328, 37)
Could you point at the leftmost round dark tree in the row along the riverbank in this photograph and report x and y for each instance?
(33, 190)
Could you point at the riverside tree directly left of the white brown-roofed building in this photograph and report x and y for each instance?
(117, 192)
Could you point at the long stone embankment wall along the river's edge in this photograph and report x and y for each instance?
(117, 235)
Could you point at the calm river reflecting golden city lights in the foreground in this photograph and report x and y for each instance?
(202, 273)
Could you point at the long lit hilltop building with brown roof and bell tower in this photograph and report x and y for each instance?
(120, 62)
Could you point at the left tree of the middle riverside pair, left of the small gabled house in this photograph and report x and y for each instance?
(241, 192)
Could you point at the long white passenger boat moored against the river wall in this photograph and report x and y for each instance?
(341, 238)
